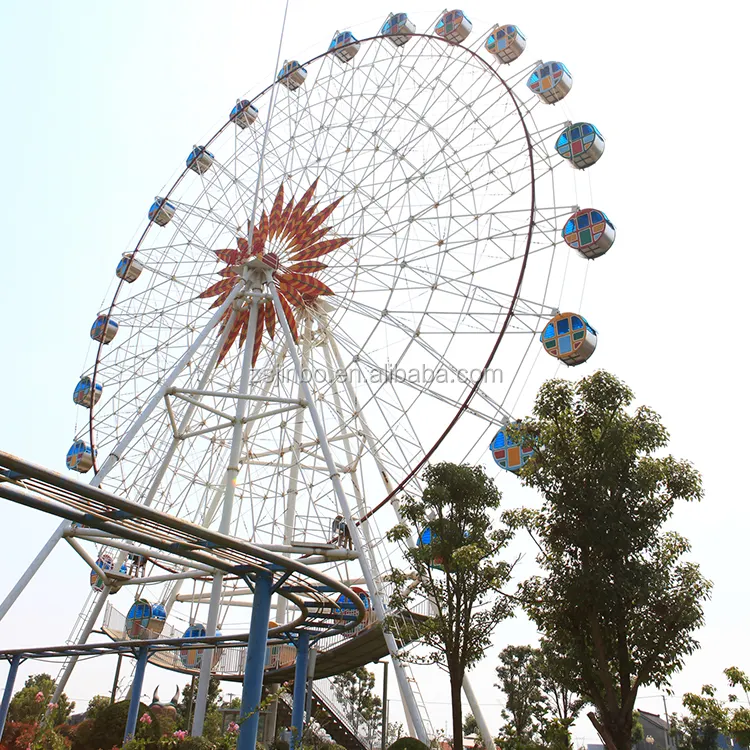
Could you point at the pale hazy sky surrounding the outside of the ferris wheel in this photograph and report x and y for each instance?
(102, 101)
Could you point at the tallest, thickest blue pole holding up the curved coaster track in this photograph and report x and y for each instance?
(252, 683)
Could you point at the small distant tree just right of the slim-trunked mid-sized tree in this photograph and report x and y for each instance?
(520, 680)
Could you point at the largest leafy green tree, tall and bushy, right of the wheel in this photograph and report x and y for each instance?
(615, 596)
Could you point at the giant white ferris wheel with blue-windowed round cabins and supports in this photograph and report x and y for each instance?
(356, 274)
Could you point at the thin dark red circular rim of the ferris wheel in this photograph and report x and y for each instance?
(522, 112)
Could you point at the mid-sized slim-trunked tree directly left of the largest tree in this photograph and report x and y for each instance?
(458, 570)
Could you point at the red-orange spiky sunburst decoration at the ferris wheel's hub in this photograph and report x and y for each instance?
(295, 233)
